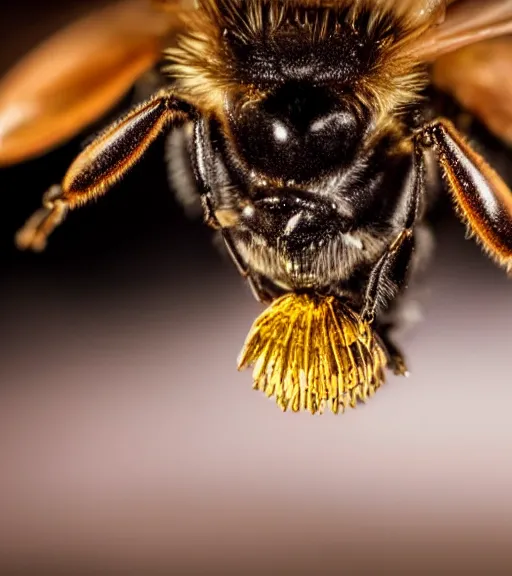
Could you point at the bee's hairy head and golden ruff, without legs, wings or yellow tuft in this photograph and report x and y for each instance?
(302, 104)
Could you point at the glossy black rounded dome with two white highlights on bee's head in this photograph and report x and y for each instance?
(297, 133)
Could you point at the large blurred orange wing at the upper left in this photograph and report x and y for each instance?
(78, 74)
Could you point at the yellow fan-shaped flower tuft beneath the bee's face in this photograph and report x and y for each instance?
(311, 350)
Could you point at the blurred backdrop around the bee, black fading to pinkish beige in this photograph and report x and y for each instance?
(129, 444)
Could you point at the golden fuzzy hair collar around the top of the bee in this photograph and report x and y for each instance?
(202, 63)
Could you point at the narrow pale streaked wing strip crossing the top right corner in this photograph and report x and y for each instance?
(466, 22)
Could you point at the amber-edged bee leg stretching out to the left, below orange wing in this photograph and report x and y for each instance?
(103, 163)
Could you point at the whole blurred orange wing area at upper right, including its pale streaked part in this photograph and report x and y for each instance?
(472, 59)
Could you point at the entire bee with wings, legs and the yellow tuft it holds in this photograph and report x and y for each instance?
(307, 134)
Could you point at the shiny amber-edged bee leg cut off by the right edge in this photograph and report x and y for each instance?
(481, 197)
